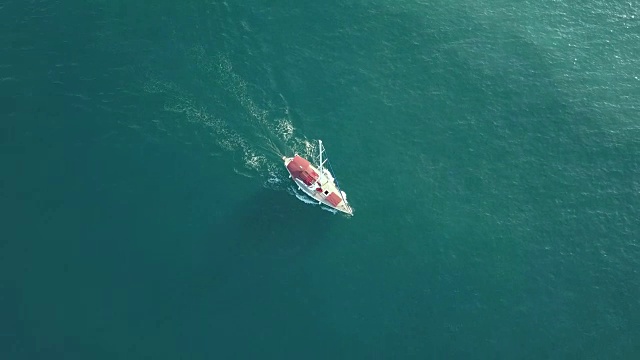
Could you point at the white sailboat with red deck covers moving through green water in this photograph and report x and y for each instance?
(317, 181)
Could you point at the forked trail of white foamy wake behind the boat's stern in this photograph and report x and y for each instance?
(256, 138)
